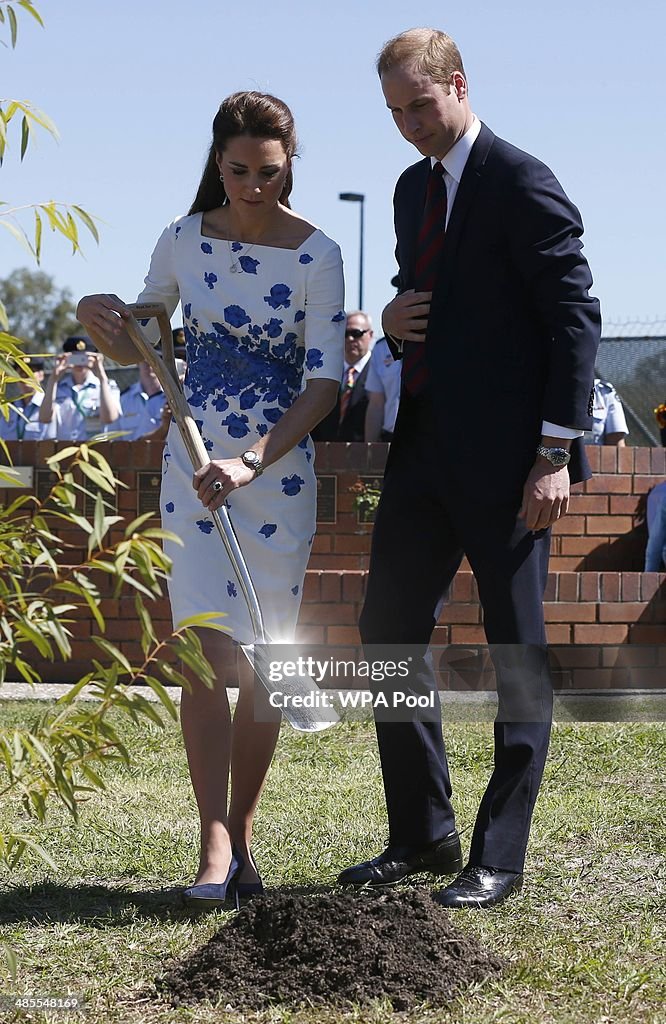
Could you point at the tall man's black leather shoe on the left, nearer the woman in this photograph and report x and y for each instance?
(397, 863)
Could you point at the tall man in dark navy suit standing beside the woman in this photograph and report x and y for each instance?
(498, 334)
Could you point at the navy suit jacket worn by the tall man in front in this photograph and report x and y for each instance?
(513, 333)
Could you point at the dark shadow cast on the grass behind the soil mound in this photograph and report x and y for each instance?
(109, 907)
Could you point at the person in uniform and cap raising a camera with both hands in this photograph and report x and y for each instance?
(88, 402)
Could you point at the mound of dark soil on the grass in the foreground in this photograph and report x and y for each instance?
(334, 950)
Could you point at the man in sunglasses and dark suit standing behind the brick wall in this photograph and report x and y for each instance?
(347, 420)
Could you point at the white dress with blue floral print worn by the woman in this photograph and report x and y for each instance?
(255, 338)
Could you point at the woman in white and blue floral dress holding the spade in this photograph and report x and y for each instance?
(262, 291)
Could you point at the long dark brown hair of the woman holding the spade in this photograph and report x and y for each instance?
(256, 114)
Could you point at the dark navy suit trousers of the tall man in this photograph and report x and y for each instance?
(436, 508)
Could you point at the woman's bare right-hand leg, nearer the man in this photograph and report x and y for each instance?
(254, 745)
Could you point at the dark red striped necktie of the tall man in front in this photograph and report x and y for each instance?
(429, 257)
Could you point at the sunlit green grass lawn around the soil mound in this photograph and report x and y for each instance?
(585, 942)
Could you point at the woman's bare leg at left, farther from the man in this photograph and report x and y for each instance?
(206, 727)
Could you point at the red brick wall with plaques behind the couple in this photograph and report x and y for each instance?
(597, 594)
